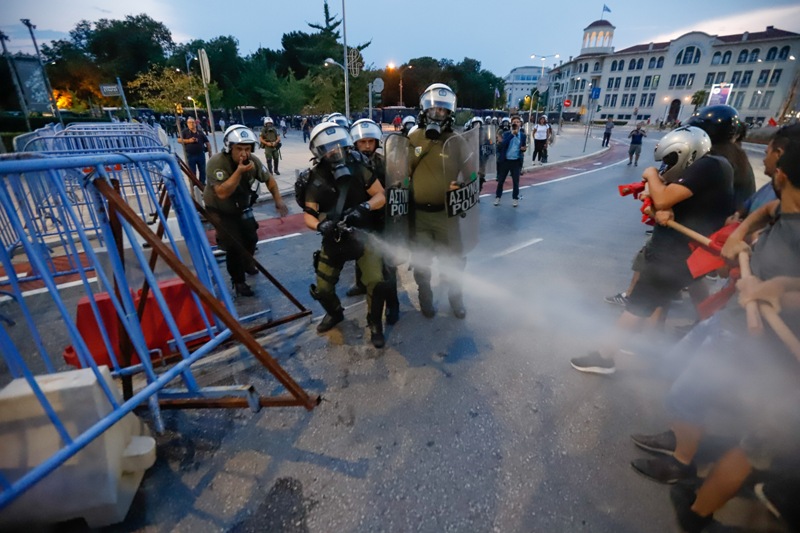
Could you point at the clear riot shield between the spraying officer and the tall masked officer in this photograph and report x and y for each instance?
(397, 190)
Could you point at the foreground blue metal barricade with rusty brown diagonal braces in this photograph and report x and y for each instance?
(112, 204)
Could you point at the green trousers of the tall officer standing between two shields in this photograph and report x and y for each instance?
(435, 234)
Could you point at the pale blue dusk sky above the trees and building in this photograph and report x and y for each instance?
(501, 35)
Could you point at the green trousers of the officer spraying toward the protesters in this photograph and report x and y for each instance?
(328, 271)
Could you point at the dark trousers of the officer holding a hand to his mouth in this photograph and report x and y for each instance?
(231, 228)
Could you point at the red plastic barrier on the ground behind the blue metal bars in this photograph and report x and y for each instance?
(156, 333)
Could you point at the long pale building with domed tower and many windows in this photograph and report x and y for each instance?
(657, 81)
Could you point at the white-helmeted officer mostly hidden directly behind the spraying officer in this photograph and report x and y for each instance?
(367, 136)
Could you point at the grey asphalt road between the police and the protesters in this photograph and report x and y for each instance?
(456, 425)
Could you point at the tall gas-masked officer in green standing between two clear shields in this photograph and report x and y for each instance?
(432, 175)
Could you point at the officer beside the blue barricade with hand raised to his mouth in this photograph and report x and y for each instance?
(228, 198)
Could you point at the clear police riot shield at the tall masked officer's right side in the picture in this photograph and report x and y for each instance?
(461, 164)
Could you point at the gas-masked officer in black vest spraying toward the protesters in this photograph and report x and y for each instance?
(342, 190)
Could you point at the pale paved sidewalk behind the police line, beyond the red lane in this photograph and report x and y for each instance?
(296, 155)
